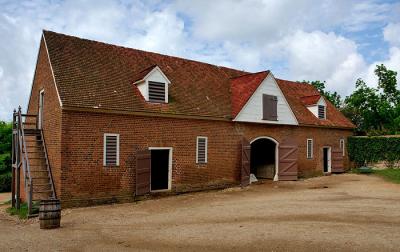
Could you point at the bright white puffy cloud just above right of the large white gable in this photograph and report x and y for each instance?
(323, 56)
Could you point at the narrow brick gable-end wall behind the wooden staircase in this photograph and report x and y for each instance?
(43, 79)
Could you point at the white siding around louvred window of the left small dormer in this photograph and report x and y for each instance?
(155, 75)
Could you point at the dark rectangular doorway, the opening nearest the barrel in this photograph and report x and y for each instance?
(161, 159)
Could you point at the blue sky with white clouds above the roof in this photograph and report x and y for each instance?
(337, 41)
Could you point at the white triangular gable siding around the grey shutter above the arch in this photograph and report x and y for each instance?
(252, 111)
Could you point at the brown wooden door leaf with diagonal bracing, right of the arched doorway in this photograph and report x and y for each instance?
(288, 160)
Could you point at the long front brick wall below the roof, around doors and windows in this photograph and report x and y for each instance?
(85, 181)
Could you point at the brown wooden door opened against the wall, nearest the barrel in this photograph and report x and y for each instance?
(143, 167)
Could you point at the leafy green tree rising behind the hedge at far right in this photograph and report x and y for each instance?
(375, 111)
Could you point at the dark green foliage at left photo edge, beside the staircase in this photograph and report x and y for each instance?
(5, 156)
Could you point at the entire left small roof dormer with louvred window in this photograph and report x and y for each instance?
(153, 84)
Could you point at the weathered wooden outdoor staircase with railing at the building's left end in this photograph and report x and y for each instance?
(30, 154)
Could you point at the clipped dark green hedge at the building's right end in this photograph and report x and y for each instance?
(364, 150)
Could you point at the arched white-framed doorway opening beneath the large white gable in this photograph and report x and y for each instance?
(264, 158)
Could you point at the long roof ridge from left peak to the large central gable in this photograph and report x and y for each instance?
(140, 50)
